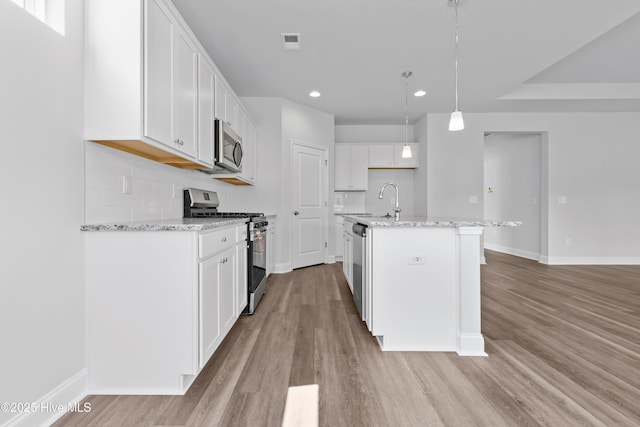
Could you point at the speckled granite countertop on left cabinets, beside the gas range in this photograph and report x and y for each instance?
(175, 224)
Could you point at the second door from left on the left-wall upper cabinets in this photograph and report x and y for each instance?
(184, 105)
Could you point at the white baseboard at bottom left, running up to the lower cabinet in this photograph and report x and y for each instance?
(56, 403)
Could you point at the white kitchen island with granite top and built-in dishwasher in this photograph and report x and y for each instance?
(421, 286)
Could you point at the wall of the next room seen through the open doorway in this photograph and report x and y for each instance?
(512, 170)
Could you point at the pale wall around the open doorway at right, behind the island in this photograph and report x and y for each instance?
(592, 162)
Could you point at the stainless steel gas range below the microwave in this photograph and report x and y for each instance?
(204, 204)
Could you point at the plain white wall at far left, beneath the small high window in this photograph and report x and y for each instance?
(41, 247)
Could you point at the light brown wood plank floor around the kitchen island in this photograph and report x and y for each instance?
(563, 345)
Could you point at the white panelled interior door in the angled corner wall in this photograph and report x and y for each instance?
(309, 176)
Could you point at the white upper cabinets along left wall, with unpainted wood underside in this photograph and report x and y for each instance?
(151, 90)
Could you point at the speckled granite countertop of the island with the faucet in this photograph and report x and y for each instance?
(423, 221)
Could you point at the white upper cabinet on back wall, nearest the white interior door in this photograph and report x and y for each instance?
(351, 163)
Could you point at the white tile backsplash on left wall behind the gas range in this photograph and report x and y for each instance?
(155, 190)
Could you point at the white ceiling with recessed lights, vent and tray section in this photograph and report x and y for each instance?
(515, 55)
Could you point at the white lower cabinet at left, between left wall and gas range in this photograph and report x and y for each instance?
(159, 304)
